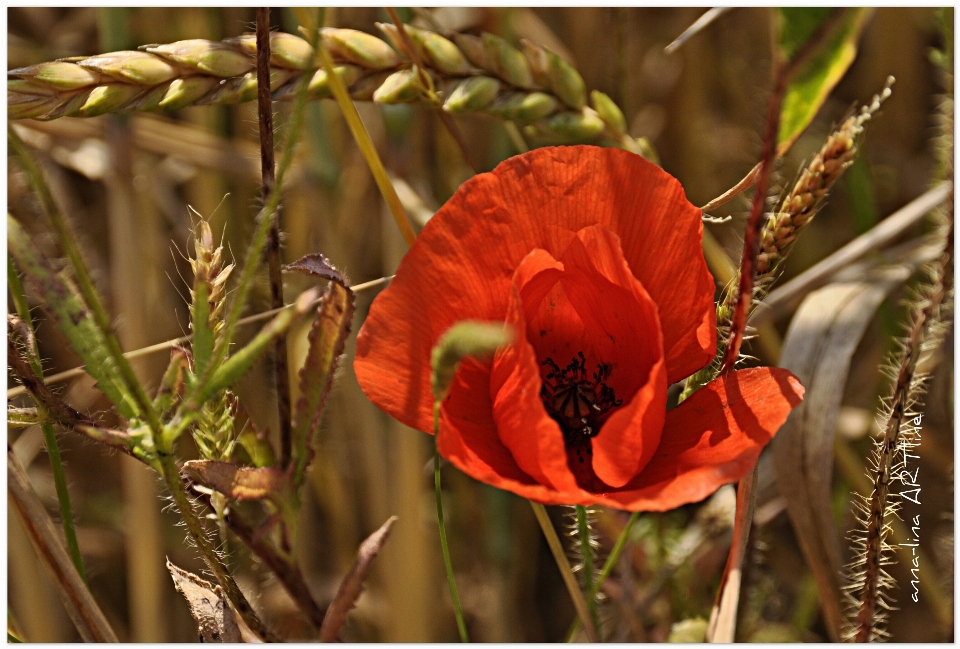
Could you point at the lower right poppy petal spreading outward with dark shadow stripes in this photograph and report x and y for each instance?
(711, 439)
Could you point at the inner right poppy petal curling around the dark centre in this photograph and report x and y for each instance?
(621, 321)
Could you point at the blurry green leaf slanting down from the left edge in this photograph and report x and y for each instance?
(62, 301)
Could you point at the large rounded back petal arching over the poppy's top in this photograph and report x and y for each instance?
(463, 262)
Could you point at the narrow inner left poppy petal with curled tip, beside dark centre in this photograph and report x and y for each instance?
(534, 439)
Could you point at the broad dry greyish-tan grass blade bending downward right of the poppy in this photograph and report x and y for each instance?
(818, 349)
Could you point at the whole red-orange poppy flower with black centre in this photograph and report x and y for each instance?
(593, 256)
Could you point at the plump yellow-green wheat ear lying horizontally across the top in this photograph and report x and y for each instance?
(465, 74)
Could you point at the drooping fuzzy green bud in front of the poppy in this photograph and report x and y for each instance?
(466, 338)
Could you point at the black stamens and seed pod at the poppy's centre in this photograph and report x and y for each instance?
(575, 401)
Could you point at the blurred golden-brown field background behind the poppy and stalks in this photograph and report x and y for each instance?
(126, 183)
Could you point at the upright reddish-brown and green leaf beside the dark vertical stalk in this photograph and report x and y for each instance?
(327, 338)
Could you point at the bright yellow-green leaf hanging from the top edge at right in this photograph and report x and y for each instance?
(831, 35)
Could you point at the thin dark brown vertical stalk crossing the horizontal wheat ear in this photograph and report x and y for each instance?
(267, 168)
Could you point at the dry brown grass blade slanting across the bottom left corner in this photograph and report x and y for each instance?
(77, 600)
